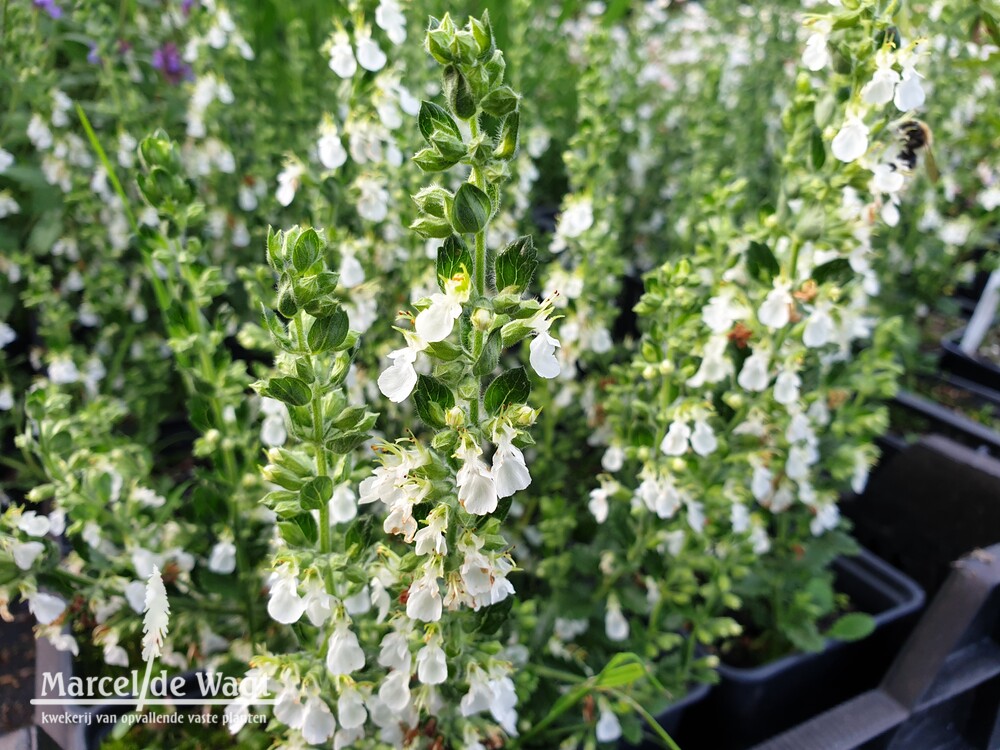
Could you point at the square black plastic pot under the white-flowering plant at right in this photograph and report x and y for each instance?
(749, 705)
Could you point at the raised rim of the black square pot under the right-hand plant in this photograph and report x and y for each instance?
(865, 565)
